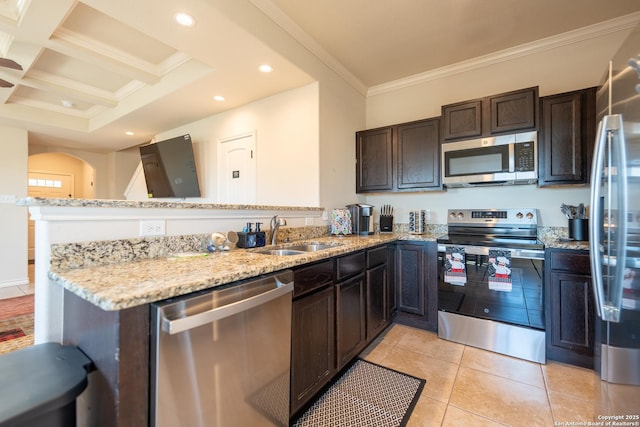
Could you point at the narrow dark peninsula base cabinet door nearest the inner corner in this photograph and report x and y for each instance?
(376, 300)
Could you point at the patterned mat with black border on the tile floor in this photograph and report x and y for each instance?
(365, 395)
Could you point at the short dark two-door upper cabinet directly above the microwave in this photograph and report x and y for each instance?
(492, 115)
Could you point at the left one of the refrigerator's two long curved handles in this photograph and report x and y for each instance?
(596, 217)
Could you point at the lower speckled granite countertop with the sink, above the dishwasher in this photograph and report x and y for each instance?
(130, 284)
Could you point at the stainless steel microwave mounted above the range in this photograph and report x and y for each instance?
(499, 160)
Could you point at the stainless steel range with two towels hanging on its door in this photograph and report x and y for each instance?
(490, 278)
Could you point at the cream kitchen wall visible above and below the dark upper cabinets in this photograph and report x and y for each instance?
(554, 69)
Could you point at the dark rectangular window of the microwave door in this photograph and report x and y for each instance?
(477, 161)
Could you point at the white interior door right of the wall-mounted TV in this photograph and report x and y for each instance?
(237, 169)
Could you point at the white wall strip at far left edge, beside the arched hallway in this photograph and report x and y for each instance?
(13, 219)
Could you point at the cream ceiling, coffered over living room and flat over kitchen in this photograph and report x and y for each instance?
(93, 69)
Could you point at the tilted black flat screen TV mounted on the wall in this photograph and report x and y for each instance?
(170, 168)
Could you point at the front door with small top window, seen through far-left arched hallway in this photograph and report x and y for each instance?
(52, 185)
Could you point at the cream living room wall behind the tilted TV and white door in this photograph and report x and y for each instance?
(287, 146)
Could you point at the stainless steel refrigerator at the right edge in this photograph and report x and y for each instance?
(615, 218)
